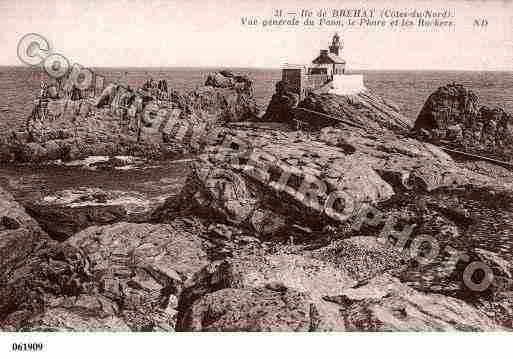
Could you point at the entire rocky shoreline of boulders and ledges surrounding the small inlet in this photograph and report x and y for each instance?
(270, 231)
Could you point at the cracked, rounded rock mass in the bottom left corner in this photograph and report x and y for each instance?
(119, 277)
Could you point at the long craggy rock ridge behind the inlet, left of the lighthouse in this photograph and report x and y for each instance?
(121, 121)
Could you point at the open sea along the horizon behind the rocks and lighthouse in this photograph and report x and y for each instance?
(408, 89)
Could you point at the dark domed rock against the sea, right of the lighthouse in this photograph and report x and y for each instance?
(452, 115)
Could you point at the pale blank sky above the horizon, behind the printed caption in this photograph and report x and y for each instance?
(204, 33)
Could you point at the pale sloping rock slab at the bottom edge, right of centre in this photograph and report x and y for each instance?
(384, 304)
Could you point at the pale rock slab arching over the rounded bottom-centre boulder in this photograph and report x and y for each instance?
(277, 272)
